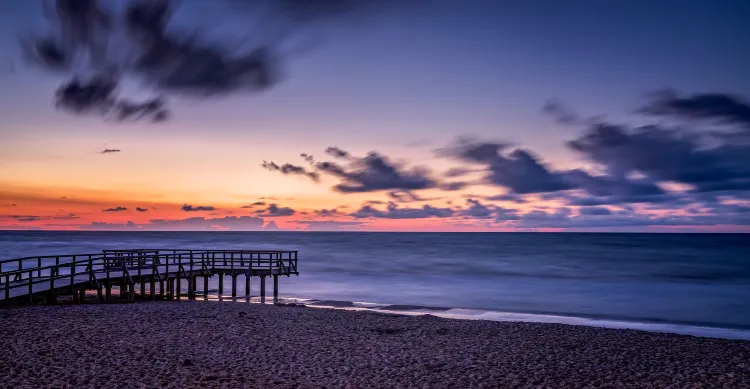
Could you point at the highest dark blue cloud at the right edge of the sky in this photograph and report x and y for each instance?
(714, 107)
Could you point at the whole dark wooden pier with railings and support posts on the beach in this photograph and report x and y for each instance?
(139, 272)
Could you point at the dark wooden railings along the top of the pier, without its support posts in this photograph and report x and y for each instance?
(122, 265)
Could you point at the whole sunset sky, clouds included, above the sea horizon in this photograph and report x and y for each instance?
(375, 115)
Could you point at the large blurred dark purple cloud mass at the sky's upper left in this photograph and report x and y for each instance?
(138, 41)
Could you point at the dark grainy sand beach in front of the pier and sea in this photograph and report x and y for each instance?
(234, 345)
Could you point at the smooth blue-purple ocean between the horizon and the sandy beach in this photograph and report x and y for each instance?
(685, 283)
